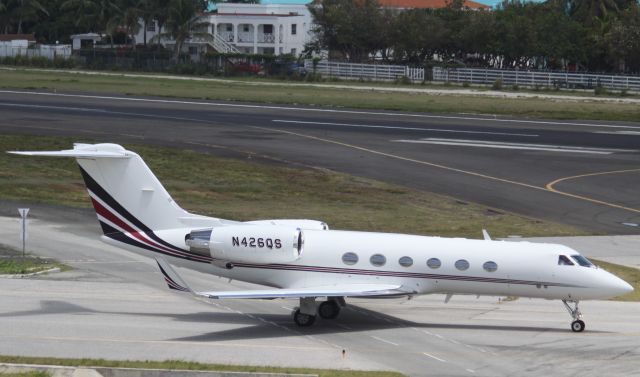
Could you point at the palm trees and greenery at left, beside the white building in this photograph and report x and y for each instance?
(56, 20)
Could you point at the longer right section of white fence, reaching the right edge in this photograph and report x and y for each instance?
(536, 78)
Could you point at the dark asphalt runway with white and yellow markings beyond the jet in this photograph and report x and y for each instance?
(575, 172)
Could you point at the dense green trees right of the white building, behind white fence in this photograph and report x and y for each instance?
(593, 35)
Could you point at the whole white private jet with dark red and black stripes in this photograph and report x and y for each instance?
(304, 259)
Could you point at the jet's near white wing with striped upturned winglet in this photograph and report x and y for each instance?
(175, 282)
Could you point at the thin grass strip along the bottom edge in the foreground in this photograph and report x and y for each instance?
(187, 365)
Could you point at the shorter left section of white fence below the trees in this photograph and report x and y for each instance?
(375, 72)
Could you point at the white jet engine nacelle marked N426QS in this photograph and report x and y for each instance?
(248, 244)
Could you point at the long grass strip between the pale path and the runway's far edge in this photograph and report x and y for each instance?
(238, 90)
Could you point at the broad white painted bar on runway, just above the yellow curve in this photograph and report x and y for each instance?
(518, 146)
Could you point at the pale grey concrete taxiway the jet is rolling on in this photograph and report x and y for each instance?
(115, 305)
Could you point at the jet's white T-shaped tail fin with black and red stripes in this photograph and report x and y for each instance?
(124, 192)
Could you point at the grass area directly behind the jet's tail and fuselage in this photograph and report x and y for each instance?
(249, 190)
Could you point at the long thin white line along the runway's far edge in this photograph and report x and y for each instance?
(318, 110)
